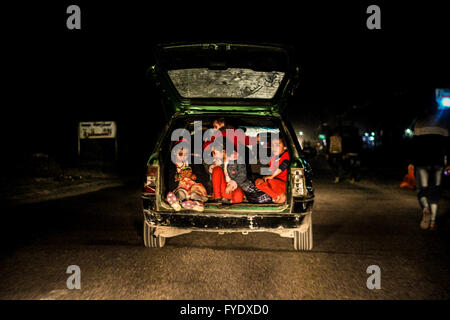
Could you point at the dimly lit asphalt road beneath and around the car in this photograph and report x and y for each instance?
(355, 226)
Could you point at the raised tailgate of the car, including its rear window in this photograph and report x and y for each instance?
(202, 77)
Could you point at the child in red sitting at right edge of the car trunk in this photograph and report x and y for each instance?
(275, 184)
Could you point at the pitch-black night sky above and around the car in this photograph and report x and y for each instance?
(56, 77)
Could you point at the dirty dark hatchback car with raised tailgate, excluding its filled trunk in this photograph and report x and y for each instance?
(251, 83)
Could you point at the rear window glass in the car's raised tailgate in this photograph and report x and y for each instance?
(229, 83)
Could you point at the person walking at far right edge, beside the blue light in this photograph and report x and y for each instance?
(429, 157)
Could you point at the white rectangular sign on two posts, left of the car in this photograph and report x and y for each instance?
(97, 130)
